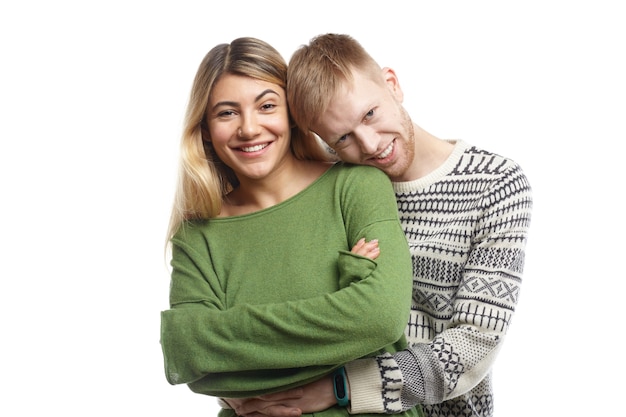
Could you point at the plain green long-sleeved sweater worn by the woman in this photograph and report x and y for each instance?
(255, 305)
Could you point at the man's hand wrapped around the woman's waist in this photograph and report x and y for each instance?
(310, 398)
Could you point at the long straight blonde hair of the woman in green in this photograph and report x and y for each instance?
(203, 179)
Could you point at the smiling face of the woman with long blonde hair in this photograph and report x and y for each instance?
(248, 122)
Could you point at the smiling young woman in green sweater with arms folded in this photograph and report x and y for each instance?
(266, 293)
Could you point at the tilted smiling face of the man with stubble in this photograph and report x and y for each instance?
(366, 124)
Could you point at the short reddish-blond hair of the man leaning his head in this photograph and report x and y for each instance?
(318, 70)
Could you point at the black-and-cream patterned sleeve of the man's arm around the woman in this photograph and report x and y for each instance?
(458, 358)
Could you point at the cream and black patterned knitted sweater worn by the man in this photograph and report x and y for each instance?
(467, 225)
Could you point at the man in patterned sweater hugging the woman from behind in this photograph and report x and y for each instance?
(465, 213)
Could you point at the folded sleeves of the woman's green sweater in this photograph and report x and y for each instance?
(293, 342)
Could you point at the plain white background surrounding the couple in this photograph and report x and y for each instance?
(92, 96)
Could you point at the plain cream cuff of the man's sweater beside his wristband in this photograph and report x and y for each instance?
(365, 386)
